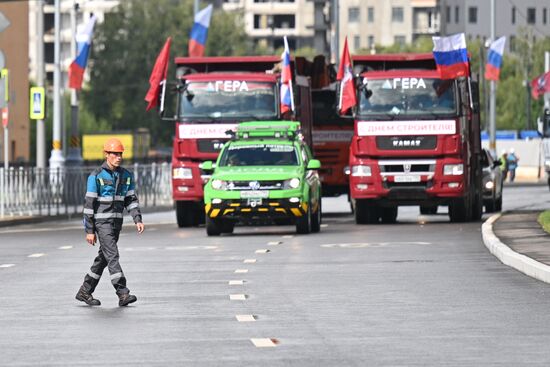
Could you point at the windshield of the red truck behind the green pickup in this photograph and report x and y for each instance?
(228, 99)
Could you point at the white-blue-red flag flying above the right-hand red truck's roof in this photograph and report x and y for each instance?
(451, 56)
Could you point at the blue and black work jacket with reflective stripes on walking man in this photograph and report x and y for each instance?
(107, 194)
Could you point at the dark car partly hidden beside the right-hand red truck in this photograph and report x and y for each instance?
(492, 182)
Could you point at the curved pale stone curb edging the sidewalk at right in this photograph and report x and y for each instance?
(507, 256)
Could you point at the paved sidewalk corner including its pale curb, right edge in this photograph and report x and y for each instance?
(517, 239)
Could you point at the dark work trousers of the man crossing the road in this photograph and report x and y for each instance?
(107, 256)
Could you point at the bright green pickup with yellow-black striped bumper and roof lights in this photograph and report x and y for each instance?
(266, 172)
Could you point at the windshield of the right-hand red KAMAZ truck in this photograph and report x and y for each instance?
(407, 96)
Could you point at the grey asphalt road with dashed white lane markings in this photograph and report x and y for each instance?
(422, 292)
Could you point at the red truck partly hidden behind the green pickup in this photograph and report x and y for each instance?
(214, 94)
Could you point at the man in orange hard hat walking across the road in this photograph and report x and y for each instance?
(110, 189)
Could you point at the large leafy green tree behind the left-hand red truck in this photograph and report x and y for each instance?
(125, 48)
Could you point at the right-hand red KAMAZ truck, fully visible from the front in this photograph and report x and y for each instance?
(416, 140)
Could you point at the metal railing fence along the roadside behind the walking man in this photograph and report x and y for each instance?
(61, 191)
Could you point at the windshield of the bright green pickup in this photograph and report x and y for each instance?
(259, 155)
